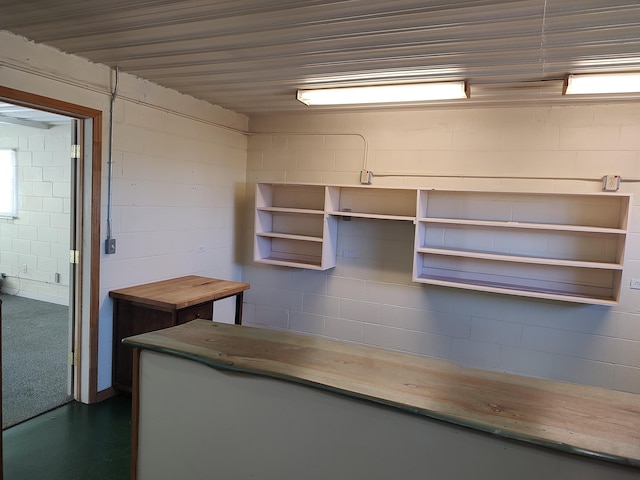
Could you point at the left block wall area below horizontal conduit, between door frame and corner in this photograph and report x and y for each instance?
(177, 185)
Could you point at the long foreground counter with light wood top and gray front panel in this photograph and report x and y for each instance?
(307, 407)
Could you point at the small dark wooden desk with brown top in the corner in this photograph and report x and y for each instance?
(154, 306)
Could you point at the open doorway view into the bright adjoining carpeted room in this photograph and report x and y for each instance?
(36, 234)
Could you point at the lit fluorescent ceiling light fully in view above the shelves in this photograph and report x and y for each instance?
(400, 93)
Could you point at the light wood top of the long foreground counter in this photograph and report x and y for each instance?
(589, 421)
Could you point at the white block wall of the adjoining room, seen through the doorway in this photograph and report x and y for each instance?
(39, 236)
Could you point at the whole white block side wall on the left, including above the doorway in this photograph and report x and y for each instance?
(179, 169)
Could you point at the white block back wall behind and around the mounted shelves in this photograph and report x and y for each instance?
(372, 300)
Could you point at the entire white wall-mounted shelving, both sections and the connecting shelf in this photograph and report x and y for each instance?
(562, 246)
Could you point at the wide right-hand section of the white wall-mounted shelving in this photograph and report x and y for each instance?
(544, 245)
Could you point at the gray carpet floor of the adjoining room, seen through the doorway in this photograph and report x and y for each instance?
(34, 358)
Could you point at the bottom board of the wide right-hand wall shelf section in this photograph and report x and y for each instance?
(520, 290)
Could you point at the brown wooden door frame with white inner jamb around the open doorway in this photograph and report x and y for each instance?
(85, 257)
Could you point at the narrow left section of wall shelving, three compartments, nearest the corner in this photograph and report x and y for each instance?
(292, 228)
